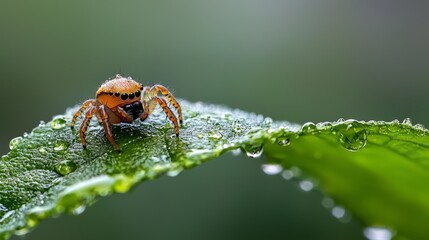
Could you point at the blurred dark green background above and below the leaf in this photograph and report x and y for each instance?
(291, 60)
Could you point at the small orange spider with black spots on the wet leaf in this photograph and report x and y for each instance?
(124, 100)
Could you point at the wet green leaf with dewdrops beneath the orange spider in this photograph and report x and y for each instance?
(375, 170)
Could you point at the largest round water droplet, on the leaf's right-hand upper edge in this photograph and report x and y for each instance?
(352, 139)
